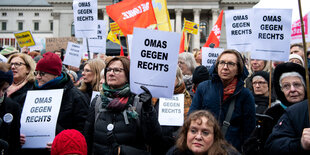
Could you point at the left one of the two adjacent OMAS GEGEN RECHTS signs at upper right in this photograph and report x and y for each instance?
(239, 29)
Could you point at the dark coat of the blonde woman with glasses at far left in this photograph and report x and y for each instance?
(20, 95)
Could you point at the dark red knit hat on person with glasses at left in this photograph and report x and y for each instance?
(50, 63)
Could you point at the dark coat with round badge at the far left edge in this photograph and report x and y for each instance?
(9, 131)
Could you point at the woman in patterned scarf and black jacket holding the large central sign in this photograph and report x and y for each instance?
(117, 123)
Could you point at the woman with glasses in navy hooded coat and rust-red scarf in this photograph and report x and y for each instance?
(225, 88)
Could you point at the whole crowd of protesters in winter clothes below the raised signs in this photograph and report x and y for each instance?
(238, 106)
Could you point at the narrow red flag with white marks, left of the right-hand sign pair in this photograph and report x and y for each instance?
(215, 34)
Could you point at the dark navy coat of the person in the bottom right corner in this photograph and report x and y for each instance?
(286, 135)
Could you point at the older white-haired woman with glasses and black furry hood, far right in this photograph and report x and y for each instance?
(290, 86)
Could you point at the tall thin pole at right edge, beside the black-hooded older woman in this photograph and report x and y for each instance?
(305, 55)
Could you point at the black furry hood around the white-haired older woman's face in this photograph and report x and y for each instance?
(284, 68)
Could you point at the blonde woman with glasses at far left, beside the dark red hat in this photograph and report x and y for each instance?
(23, 67)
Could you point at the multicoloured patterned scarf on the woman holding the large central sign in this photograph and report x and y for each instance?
(116, 99)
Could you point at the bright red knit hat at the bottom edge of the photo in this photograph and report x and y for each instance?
(69, 141)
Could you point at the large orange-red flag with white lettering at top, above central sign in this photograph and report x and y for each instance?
(132, 13)
